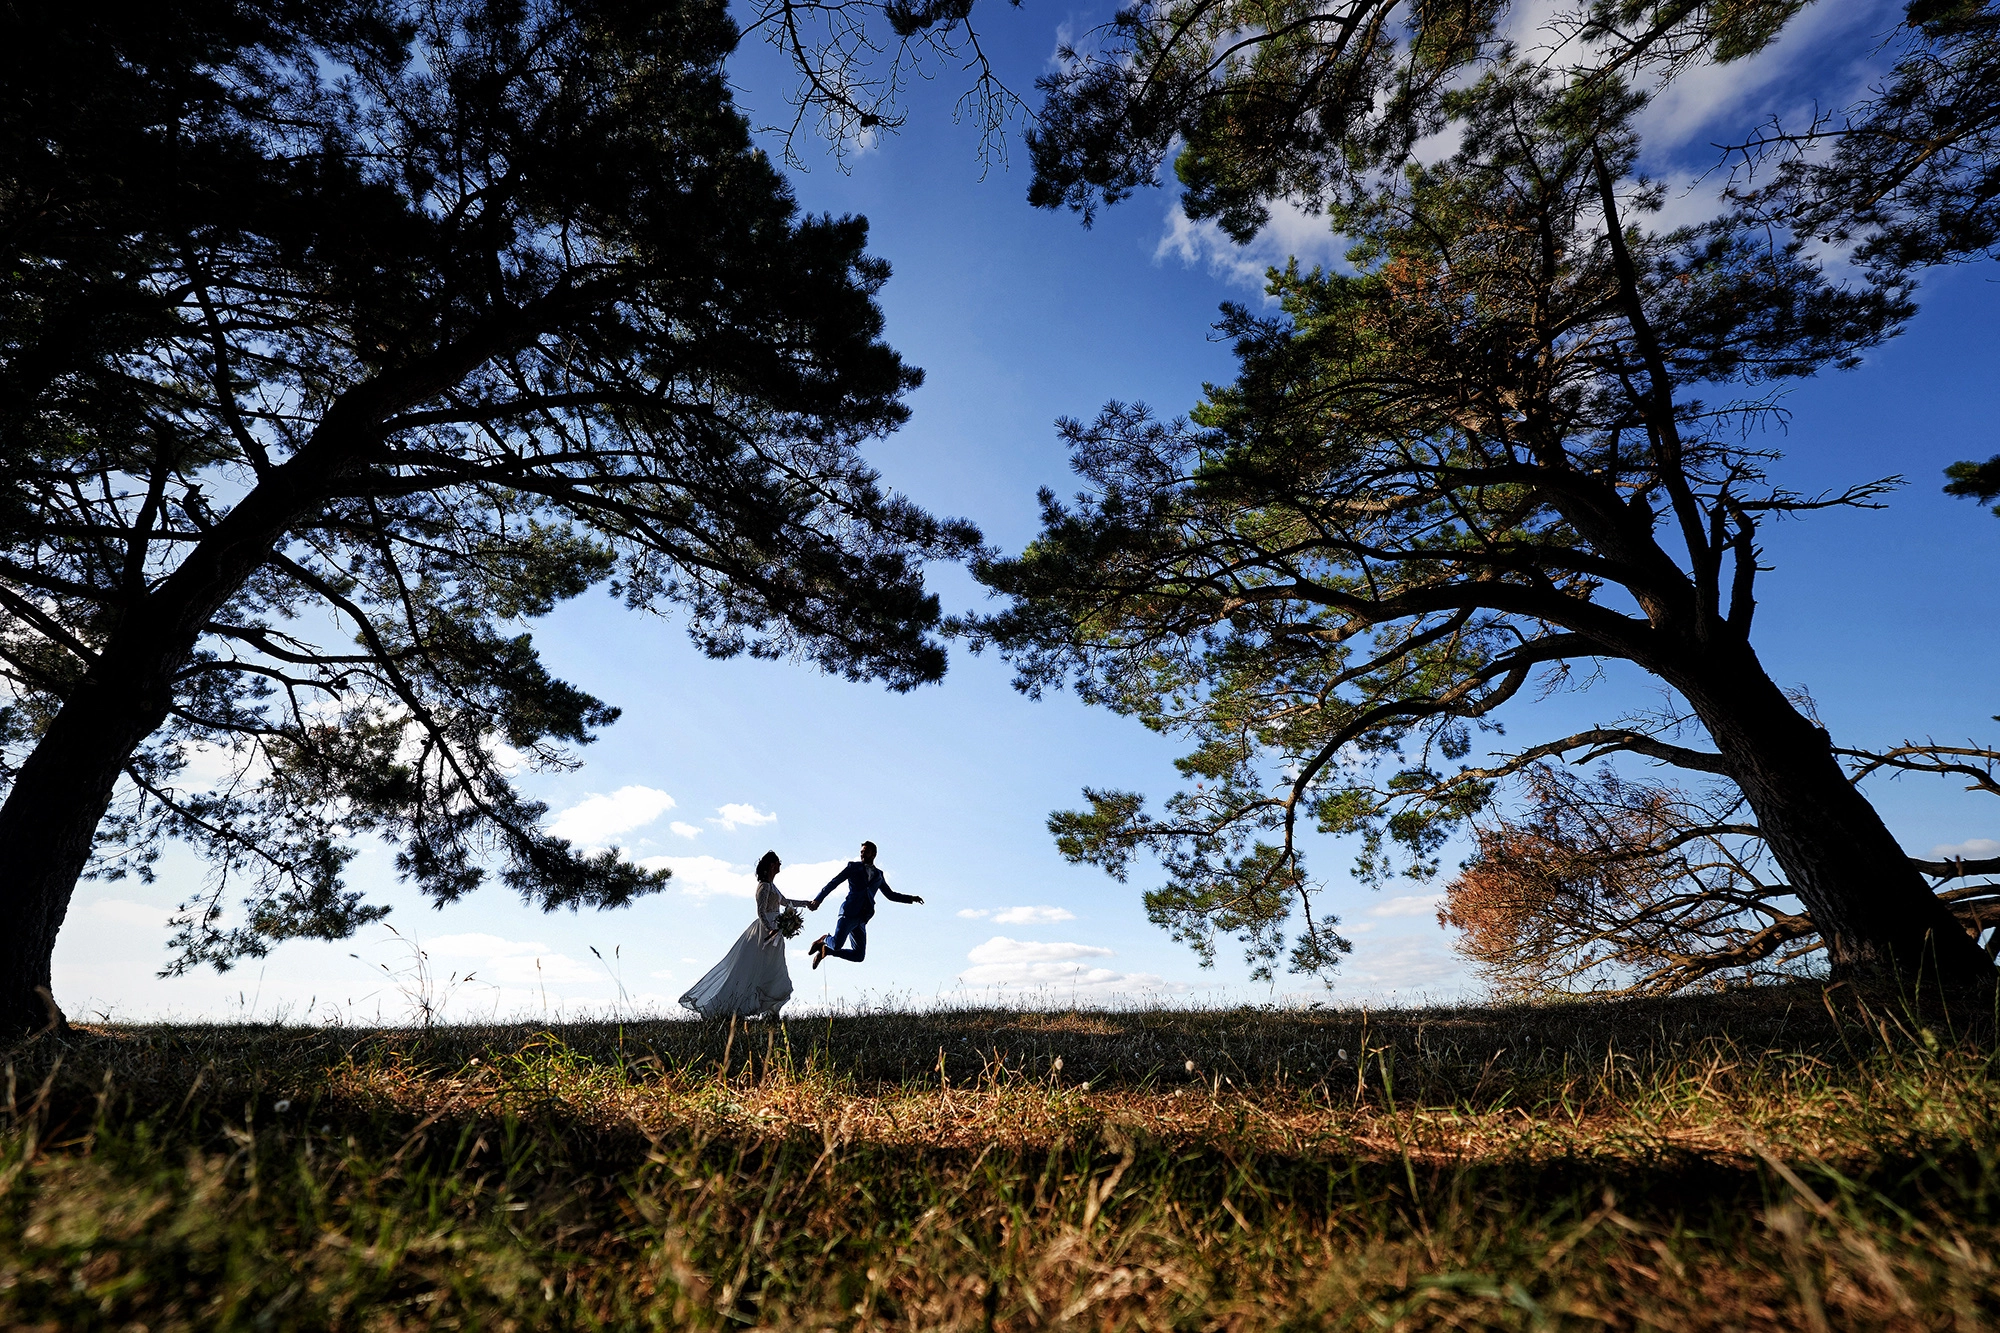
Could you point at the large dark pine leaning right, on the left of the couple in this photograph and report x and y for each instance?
(339, 339)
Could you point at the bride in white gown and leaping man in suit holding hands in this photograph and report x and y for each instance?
(753, 980)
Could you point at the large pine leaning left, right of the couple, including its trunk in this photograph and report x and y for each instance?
(1519, 437)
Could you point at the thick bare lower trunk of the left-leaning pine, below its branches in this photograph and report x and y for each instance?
(1871, 906)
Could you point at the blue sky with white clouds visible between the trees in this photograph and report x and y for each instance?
(1021, 317)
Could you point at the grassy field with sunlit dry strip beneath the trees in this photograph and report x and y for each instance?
(1773, 1160)
